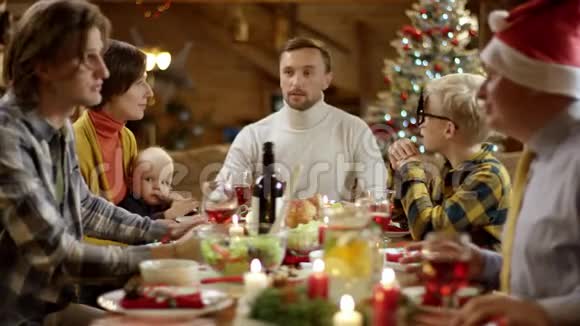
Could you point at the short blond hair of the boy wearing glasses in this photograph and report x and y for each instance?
(458, 94)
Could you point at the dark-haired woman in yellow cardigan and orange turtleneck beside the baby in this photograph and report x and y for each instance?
(105, 146)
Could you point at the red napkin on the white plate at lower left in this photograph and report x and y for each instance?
(145, 302)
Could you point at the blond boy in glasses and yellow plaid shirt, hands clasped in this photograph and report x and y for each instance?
(473, 197)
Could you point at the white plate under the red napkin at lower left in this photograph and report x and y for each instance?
(111, 301)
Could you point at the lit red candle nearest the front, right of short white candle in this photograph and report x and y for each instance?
(385, 300)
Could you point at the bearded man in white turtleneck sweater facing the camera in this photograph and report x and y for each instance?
(334, 148)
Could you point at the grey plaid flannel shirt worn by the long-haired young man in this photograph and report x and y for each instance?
(40, 238)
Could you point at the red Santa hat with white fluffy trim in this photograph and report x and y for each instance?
(537, 45)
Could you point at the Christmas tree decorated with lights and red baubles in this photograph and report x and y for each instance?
(440, 41)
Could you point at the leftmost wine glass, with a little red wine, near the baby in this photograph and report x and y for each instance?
(219, 201)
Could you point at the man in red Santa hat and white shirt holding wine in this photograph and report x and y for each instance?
(532, 93)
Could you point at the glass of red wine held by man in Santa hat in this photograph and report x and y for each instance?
(446, 266)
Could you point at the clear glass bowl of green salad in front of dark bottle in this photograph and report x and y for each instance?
(232, 255)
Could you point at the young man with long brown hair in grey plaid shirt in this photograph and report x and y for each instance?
(54, 64)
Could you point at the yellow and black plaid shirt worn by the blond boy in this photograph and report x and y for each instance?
(472, 198)
